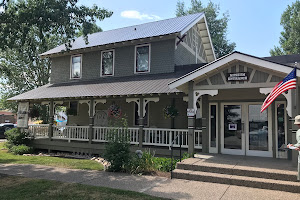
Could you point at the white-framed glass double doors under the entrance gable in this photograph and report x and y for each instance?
(244, 130)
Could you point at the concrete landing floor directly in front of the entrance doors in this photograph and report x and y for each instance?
(242, 162)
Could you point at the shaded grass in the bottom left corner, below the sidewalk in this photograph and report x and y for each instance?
(12, 187)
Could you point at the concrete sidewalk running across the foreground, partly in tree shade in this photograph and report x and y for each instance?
(156, 186)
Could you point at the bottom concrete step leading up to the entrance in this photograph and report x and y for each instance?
(287, 186)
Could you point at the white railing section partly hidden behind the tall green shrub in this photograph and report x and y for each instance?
(100, 134)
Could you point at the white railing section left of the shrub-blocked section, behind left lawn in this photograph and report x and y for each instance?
(79, 133)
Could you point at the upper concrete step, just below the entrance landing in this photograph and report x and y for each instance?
(236, 170)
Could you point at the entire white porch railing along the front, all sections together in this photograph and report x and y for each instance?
(152, 136)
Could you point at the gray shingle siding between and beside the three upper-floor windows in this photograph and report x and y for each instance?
(162, 61)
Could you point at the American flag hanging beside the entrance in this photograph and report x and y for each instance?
(289, 82)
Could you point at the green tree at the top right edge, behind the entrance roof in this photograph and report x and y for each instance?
(289, 40)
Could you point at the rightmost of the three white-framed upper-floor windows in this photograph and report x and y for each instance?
(142, 58)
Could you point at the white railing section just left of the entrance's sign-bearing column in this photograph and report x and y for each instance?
(164, 137)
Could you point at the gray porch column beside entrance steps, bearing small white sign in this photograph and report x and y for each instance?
(191, 120)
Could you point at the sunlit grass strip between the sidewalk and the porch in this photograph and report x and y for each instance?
(8, 158)
